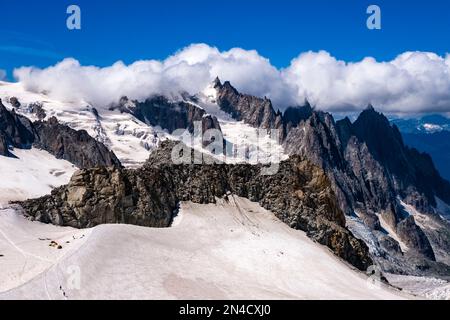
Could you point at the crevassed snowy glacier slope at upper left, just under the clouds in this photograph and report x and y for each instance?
(130, 139)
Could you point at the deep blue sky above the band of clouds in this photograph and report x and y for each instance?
(35, 33)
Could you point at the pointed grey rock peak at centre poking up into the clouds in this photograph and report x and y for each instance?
(252, 110)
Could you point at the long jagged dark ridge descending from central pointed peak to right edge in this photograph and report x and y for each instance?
(367, 162)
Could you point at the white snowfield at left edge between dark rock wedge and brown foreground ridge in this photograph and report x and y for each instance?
(32, 173)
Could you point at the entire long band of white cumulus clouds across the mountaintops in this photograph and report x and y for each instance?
(412, 82)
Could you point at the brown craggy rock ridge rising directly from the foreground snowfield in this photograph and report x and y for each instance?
(300, 194)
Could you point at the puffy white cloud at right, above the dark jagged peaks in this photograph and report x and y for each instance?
(412, 82)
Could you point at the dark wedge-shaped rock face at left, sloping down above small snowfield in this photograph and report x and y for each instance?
(77, 147)
